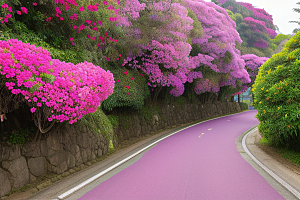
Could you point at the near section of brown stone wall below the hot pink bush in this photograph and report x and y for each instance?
(65, 147)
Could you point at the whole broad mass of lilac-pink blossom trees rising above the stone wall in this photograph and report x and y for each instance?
(183, 40)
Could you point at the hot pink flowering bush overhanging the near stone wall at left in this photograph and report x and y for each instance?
(69, 91)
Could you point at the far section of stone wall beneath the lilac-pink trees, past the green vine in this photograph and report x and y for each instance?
(136, 124)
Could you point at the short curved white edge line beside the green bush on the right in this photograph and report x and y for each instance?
(277, 178)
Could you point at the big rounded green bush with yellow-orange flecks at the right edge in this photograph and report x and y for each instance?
(276, 92)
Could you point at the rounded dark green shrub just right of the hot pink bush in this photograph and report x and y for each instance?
(134, 96)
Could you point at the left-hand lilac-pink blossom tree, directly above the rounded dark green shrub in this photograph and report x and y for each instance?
(164, 58)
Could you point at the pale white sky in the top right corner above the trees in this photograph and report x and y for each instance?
(281, 10)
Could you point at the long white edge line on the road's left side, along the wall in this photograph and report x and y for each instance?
(81, 185)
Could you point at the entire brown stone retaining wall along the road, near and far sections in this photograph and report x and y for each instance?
(70, 146)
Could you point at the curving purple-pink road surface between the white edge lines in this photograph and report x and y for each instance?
(186, 166)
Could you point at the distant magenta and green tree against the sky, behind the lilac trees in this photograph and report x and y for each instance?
(256, 28)
